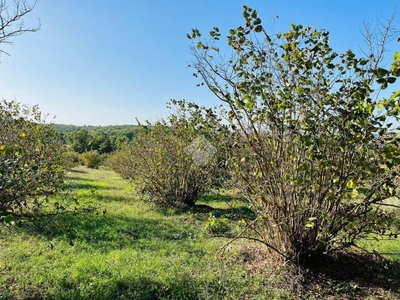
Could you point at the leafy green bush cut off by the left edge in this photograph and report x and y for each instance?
(31, 159)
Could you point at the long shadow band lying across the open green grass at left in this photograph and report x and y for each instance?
(107, 232)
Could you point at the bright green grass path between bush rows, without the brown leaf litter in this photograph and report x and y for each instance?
(128, 250)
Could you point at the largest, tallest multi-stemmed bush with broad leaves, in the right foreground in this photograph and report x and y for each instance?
(314, 148)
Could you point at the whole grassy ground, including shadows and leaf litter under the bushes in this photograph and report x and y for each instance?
(129, 249)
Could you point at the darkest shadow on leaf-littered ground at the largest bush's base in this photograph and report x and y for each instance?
(353, 275)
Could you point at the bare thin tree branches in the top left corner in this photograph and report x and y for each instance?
(12, 22)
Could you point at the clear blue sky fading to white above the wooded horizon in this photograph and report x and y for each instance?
(102, 62)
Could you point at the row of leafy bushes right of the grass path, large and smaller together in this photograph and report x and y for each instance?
(299, 135)
